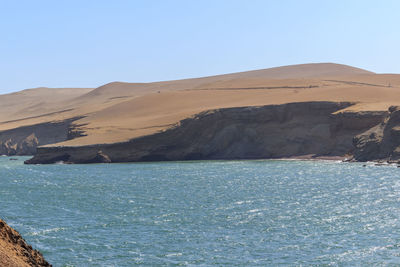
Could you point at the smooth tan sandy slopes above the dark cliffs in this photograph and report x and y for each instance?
(121, 111)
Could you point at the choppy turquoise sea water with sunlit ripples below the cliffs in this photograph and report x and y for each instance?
(235, 213)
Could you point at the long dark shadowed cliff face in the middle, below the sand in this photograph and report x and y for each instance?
(275, 131)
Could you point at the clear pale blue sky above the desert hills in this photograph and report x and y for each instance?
(75, 43)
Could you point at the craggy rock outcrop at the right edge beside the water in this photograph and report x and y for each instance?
(381, 142)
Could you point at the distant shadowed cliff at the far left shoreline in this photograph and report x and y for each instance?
(24, 140)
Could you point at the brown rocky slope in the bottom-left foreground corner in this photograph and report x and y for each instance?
(14, 251)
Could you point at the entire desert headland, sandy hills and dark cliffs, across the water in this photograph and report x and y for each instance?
(320, 110)
